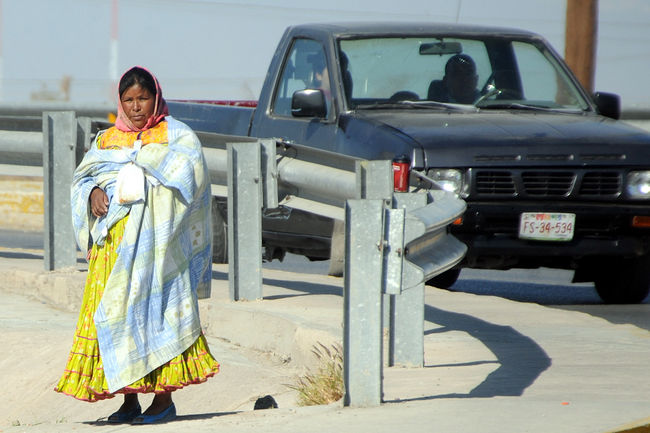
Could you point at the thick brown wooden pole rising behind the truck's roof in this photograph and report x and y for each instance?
(580, 40)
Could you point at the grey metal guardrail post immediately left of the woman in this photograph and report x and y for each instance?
(59, 162)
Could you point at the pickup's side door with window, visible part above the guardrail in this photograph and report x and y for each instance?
(305, 67)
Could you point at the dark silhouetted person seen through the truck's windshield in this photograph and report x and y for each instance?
(459, 83)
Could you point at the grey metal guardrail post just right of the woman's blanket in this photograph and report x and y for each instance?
(244, 221)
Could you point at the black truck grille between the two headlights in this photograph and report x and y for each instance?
(548, 183)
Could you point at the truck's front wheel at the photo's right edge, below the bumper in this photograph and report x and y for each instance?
(625, 281)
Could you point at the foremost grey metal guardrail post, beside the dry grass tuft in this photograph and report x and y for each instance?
(362, 303)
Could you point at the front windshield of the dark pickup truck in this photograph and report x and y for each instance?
(486, 73)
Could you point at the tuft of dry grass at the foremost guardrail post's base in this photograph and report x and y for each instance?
(325, 386)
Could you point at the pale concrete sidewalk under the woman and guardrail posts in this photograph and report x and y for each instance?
(491, 365)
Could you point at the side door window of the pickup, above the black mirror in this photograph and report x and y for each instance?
(304, 68)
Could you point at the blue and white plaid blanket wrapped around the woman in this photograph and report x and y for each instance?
(149, 311)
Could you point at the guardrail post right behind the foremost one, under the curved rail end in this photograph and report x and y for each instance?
(406, 324)
